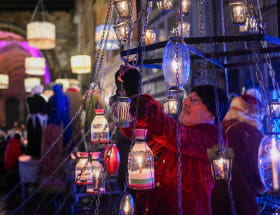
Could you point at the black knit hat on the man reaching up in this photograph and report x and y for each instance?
(207, 95)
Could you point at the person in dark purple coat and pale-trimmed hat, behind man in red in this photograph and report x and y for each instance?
(242, 126)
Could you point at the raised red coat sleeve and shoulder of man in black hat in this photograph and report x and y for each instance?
(194, 139)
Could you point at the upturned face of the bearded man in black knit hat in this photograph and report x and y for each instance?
(195, 112)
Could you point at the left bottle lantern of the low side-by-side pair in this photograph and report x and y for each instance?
(83, 169)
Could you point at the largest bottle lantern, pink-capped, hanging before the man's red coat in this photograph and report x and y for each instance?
(141, 163)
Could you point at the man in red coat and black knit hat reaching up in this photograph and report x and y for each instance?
(197, 133)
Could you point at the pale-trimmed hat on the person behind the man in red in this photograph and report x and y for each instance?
(249, 105)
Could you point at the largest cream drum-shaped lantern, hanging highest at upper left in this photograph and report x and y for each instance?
(41, 35)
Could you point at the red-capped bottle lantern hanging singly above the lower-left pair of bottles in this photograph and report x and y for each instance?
(99, 128)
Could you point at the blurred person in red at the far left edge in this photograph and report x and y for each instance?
(11, 155)
